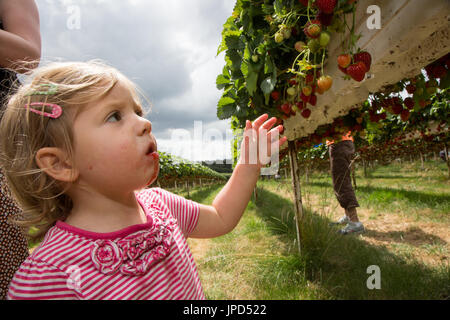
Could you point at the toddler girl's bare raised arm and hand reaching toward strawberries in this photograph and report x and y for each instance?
(230, 203)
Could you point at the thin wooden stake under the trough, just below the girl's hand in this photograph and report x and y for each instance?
(297, 190)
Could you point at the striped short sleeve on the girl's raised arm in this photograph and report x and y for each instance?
(185, 211)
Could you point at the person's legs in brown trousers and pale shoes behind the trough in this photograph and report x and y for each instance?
(340, 161)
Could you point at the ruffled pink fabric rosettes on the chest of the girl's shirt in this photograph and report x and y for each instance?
(137, 252)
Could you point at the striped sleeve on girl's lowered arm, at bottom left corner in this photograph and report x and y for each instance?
(38, 280)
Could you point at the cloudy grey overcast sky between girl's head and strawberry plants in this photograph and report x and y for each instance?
(168, 47)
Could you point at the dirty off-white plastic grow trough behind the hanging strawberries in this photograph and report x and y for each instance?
(413, 34)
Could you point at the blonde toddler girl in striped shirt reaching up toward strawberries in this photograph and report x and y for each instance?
(78, 155)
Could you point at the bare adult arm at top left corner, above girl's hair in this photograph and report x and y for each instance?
(20, 40)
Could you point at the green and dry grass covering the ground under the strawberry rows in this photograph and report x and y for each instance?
(260, 259)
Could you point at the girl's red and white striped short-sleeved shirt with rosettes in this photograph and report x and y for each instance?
(146, 261)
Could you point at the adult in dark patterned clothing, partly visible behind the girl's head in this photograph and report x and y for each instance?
(20, 50)
